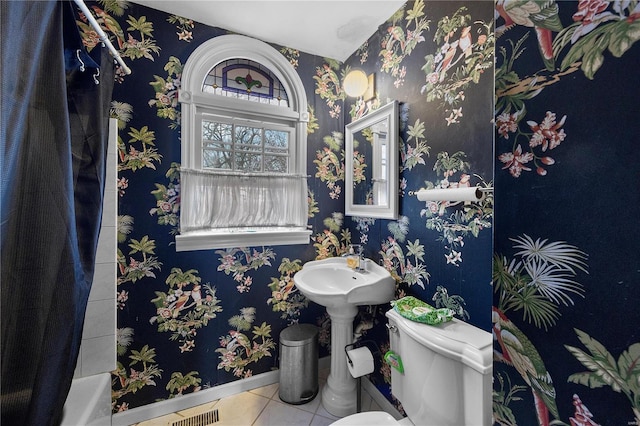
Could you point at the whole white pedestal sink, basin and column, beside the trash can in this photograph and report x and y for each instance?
(340, 289)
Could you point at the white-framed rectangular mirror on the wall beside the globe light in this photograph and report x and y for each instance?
(371, 183)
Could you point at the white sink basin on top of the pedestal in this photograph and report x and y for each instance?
(331, 283)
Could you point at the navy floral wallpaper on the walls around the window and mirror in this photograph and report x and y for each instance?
(192, 320)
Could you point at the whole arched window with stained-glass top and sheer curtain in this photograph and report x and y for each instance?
(244, 127)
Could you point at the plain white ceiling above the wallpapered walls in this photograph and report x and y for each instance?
(328, 28)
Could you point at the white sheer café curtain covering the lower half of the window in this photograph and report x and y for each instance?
(219, 200)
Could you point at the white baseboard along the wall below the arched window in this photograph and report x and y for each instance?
(168, 406)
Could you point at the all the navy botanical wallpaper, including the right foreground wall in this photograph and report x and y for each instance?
(552, 259)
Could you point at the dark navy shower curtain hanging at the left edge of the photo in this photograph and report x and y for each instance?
(54, 141)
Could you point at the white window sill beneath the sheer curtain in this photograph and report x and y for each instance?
(231, 238)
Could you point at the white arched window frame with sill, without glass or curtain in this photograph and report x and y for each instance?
(195, 103)
